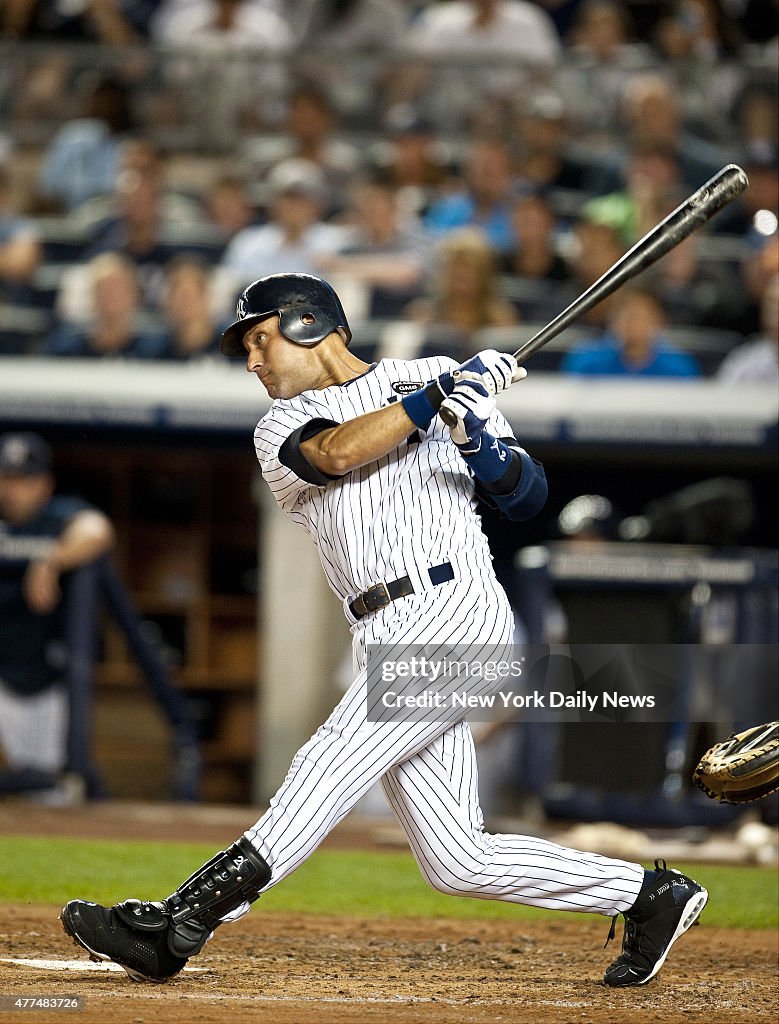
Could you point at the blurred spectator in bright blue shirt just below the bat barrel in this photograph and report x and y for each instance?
(634, 346)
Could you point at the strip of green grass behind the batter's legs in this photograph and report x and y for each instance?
(54, 871)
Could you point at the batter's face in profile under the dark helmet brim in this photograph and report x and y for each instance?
(283, 368)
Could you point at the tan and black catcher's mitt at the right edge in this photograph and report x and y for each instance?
(744, 767)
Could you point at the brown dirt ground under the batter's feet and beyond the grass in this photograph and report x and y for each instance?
(294, 969)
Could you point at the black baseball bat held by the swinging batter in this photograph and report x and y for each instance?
(693, 215)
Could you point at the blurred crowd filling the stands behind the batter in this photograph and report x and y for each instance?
(455, 168)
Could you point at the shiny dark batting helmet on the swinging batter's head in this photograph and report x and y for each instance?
(309, 311)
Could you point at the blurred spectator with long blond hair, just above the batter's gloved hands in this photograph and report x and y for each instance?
(463, 295)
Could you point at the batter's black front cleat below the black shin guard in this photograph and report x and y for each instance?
(113, 934)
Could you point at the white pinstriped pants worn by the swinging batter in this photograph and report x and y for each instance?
(429, 775)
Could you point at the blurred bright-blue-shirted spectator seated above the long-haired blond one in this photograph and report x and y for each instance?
(484, 201)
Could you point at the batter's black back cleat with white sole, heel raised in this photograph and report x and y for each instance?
(668, 905)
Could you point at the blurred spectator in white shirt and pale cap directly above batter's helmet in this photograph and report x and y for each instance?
(295, 236)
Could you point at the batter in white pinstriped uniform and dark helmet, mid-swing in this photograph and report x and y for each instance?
(359, 456)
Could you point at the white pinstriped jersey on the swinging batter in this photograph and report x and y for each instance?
(414, 507)
